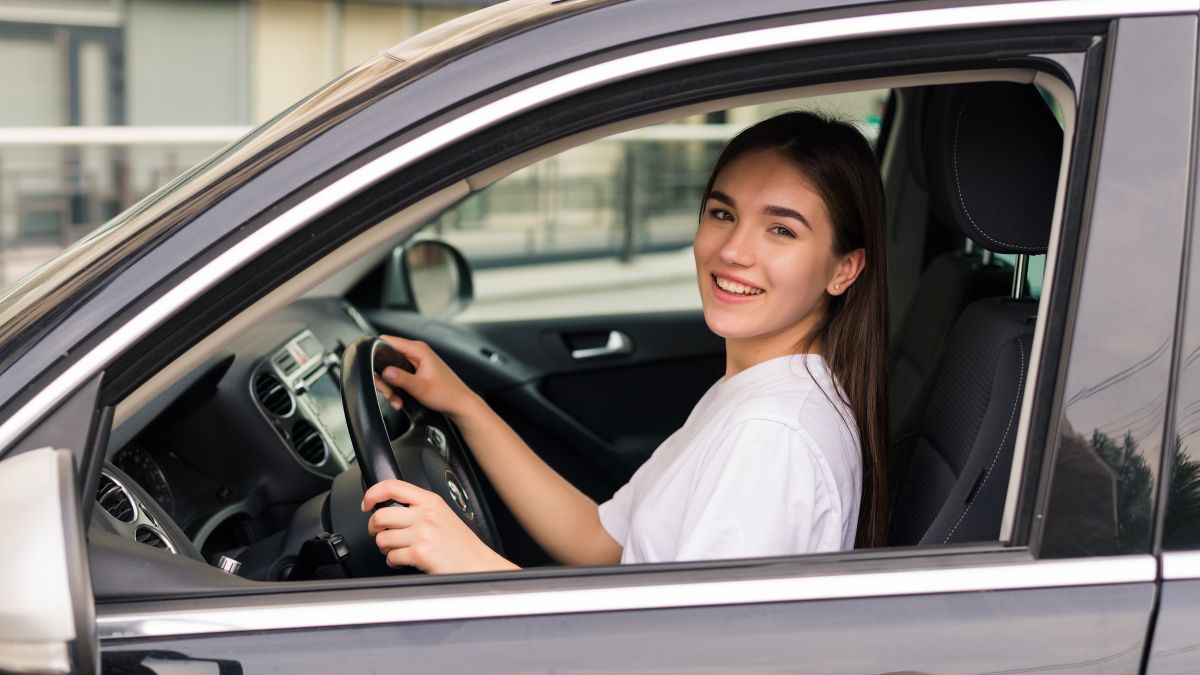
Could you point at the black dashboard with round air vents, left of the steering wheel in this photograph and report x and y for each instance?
(231, 453)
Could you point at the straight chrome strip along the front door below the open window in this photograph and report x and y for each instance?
(449, 604)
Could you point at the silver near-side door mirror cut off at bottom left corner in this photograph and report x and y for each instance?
(49, 624)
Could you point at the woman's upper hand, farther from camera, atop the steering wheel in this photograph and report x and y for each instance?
(433, 384)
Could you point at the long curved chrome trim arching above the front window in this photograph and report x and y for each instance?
(539, 94)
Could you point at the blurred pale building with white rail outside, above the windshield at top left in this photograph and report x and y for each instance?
(107, 100)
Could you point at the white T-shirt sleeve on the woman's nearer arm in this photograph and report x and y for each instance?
(761, 492)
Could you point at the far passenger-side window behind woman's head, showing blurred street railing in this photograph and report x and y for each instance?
(608, 228)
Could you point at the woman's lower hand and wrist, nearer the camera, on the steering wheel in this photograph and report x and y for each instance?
(425, 535)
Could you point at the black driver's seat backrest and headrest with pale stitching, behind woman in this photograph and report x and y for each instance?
(993, 153)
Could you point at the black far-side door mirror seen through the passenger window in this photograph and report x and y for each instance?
(429, 277)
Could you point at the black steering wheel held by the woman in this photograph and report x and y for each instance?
(415, 444)
